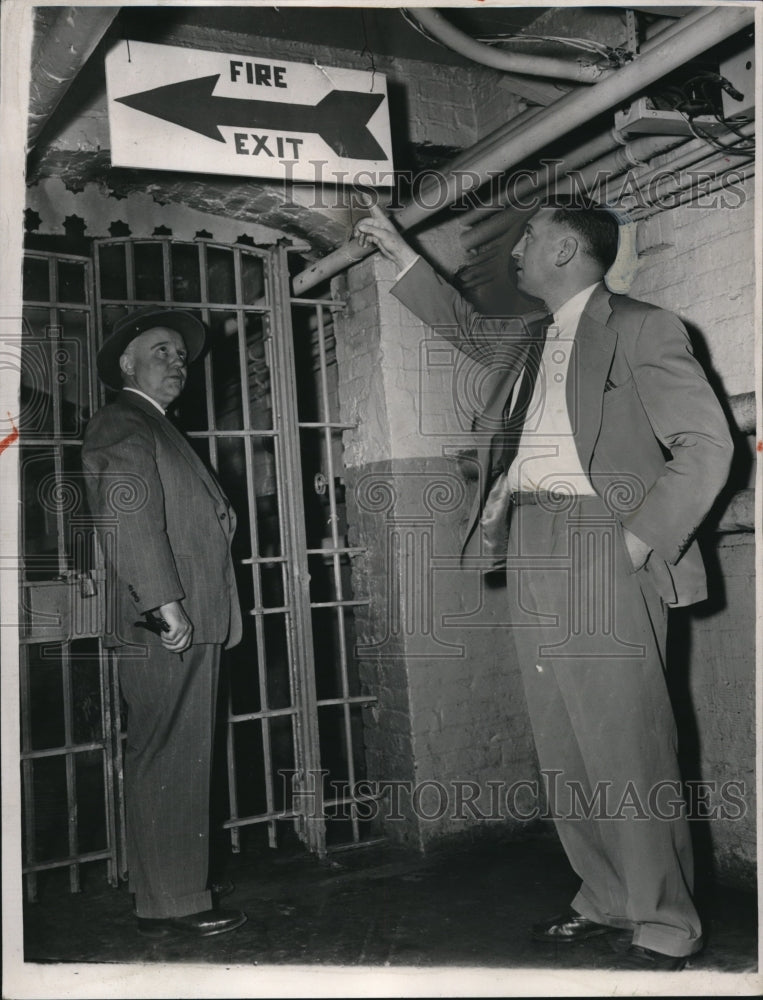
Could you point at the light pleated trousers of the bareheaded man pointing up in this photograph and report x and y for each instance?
(590, 634)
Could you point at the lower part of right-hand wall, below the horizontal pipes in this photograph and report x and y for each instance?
(712, 677)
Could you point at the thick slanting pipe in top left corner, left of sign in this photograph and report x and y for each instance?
(66, 47)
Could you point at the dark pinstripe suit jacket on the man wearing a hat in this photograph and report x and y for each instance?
(167, 527)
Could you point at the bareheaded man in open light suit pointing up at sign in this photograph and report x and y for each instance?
(604, 451)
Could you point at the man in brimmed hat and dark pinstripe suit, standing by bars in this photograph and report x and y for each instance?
(166, 529)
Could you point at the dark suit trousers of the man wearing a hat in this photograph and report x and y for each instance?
(168, 759)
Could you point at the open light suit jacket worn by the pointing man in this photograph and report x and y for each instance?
(648, 429)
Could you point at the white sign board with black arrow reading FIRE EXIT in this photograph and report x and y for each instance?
(208, 112)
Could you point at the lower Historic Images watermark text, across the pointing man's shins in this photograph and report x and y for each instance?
(496, 800)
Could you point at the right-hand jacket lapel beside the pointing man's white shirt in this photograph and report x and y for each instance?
(592, 354)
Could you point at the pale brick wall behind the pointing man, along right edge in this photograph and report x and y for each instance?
(699, 262)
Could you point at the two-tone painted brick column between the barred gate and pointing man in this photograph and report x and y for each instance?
(450, 721)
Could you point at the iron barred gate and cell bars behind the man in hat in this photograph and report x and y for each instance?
(262, 411)
